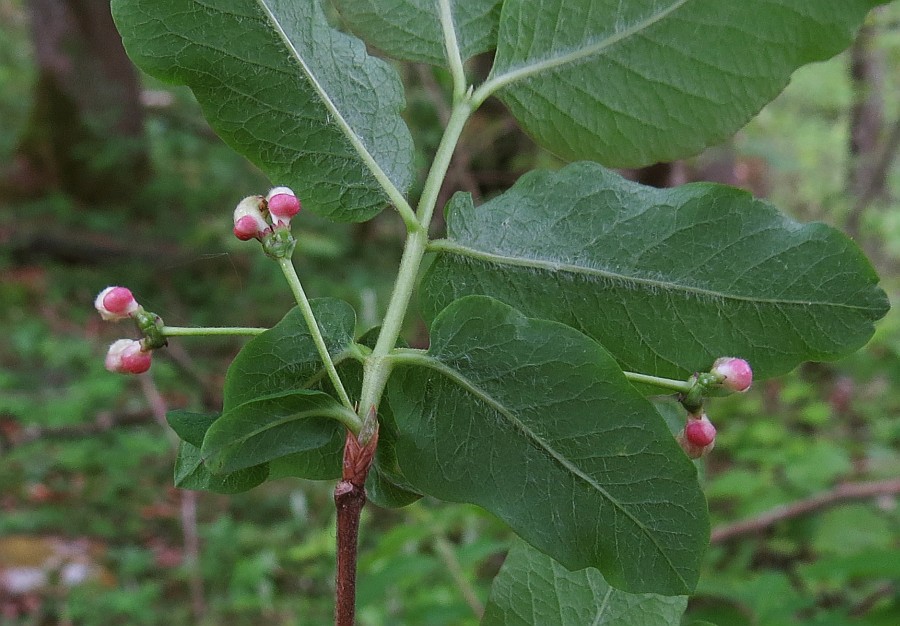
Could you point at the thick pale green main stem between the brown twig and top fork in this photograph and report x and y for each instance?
(377, 367)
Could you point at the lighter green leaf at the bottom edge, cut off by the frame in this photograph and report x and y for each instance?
(532, 588)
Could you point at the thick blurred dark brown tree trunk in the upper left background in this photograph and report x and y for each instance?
(85, 136)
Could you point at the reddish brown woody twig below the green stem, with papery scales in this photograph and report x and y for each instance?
(349, 499)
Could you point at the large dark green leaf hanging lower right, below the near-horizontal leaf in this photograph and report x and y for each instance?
(535, 422)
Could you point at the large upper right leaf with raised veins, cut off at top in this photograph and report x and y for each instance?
(633, 83)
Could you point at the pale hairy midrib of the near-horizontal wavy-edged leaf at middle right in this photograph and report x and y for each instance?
(452, 247)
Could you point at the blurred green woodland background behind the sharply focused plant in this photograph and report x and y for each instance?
(92, 531)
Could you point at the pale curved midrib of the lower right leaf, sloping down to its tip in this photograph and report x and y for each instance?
(455, 376)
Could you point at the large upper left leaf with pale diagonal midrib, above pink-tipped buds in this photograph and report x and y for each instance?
(301, 100)
